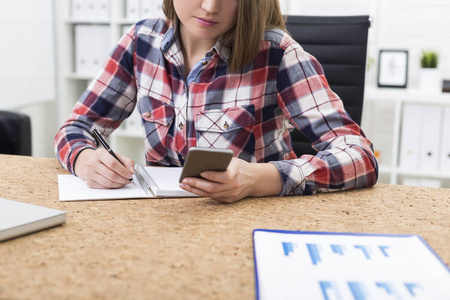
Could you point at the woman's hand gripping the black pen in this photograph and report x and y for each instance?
(101, 170)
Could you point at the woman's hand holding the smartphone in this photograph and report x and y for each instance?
(241, 179)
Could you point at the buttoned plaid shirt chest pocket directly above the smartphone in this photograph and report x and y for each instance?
(230, 128)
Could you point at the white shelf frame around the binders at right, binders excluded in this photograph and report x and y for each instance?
(392, 102)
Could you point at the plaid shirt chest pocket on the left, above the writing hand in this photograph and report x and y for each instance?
(157, 118)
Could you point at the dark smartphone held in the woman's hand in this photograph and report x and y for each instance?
(201, 159)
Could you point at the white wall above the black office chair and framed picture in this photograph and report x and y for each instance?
(413, 25)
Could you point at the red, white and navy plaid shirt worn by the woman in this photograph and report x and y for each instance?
(249, 112)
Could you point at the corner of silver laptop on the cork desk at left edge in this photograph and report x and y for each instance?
(18, 218)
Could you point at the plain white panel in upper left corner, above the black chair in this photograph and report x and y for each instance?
(27, 72)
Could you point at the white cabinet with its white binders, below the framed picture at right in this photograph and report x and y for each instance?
(410, 131)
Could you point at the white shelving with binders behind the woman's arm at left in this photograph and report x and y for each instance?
(86, 31)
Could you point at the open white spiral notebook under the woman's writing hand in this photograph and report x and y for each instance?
(148, 182)
